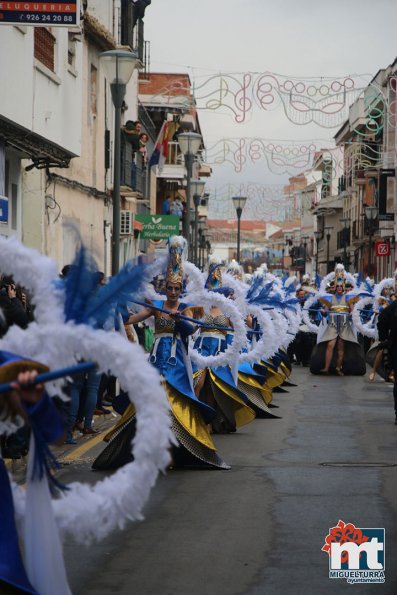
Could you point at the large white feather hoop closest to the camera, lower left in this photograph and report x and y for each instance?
(123, 495)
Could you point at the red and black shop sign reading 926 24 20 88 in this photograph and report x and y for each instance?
(61, 13)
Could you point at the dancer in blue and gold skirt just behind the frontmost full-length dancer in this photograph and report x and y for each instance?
(216, 385)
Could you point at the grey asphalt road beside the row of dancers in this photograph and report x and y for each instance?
(258, 529)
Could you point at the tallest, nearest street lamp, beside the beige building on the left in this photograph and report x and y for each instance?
(119, 66)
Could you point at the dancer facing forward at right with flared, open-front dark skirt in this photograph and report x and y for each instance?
(337, 346)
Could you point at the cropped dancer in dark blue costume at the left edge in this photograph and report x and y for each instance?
(44, 574)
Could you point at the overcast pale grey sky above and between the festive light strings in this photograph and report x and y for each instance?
(298, 38)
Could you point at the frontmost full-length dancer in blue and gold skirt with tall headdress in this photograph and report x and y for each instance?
(169, 355)
